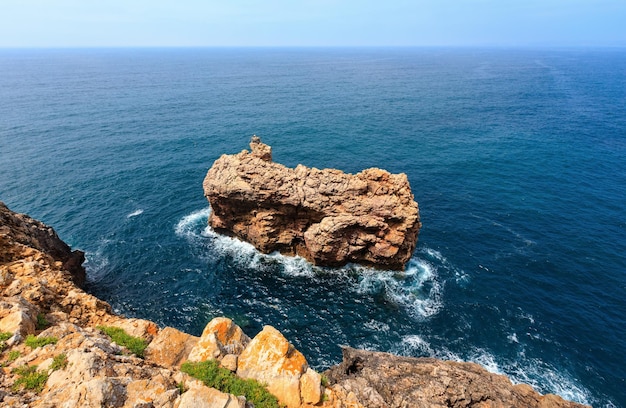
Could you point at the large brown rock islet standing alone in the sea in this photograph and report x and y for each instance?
(327, 216)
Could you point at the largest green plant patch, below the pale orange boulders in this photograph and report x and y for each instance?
(211, 374)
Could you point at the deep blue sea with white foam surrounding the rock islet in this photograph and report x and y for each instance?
(516, 157)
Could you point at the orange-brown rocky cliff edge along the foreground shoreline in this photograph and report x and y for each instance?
(54, 332)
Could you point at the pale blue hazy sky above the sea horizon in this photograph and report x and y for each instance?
(132, 23)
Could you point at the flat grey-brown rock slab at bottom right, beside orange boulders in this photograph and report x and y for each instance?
(381, 380)
